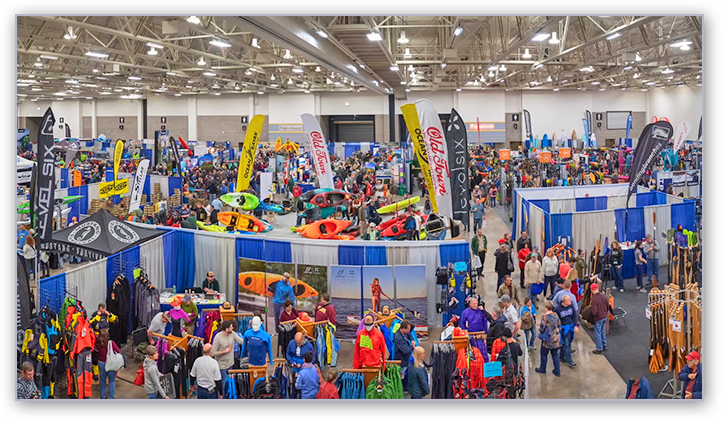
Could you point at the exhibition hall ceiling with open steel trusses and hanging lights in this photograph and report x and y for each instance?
(142, 56)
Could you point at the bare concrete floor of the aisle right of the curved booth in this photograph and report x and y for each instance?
(593, 378)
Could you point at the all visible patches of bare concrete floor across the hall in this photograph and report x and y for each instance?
(593, 378)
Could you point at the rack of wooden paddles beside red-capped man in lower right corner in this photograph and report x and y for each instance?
(676, 329)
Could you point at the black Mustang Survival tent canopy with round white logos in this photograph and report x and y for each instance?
(98, 236)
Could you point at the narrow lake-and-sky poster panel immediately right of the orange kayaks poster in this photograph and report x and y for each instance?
(345, 284)
